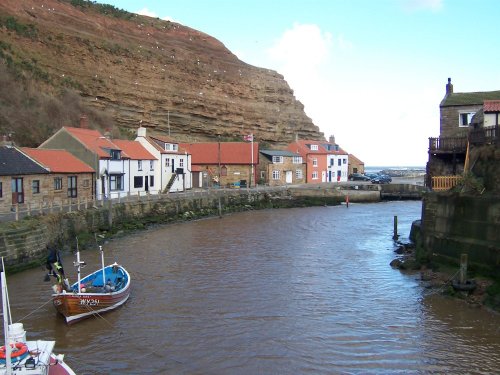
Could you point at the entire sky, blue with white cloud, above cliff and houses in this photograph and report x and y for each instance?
(369, 72)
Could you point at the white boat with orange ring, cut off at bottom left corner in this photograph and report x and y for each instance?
(21, 357)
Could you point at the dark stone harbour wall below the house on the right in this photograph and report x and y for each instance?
(453, 224)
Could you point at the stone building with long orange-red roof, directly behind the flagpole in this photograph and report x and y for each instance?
(232, 162)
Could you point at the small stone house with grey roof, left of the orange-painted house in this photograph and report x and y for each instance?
(280, 167)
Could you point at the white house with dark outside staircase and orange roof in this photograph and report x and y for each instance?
(174, 170)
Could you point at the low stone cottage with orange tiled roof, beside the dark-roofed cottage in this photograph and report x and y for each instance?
(68, 176)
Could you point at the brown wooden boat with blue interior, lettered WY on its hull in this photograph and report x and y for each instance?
(75, 306)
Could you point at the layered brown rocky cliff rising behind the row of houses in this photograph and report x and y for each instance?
(138, 69)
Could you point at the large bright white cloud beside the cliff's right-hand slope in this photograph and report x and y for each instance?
(348, 95)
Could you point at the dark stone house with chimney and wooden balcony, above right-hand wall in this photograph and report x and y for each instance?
(447, 152)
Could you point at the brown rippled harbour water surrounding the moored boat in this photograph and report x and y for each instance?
(291, 291)
